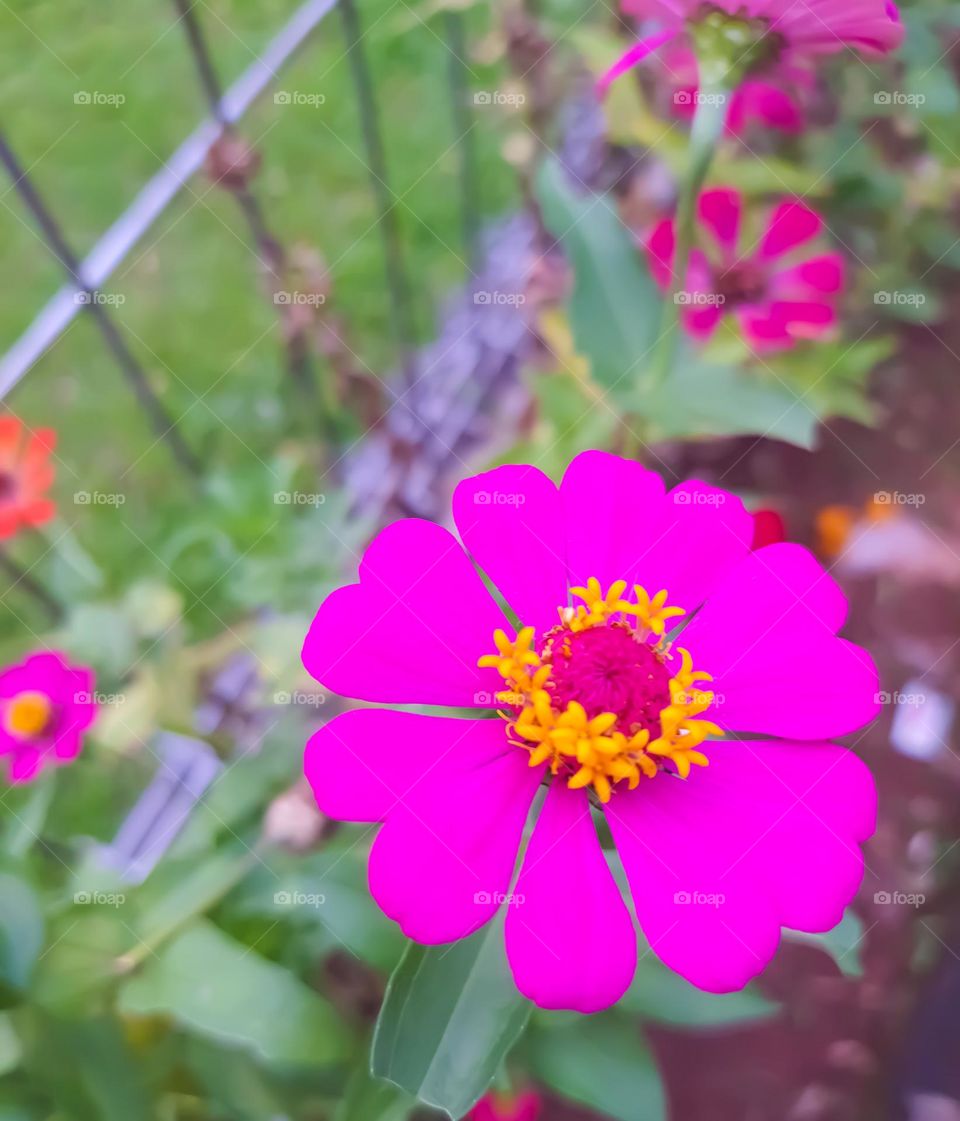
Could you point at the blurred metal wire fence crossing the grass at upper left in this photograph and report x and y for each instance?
(216, 144)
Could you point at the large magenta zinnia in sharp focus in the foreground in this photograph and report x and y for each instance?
(592, 700)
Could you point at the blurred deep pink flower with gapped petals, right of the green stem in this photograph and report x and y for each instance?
(777, 295)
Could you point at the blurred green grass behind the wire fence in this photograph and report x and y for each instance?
(195, 309)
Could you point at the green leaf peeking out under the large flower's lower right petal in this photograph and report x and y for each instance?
(662, 996)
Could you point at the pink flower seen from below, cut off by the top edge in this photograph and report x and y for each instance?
(764, 34)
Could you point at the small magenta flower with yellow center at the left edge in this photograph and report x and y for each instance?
(45, 708)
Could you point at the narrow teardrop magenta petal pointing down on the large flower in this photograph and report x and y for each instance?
(570, 938)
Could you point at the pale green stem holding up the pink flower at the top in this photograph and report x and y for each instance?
(705, 137)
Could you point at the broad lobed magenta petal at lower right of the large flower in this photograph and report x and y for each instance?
(715, 876)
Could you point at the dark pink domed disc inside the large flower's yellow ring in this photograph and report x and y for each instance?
(608, 670)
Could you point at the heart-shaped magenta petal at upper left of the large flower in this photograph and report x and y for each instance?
(412, 631)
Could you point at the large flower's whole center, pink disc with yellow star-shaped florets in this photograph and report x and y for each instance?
(596, 698)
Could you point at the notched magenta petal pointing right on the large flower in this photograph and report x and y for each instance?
(787, 674)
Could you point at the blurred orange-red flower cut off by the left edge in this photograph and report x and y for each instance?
(26, 475)
